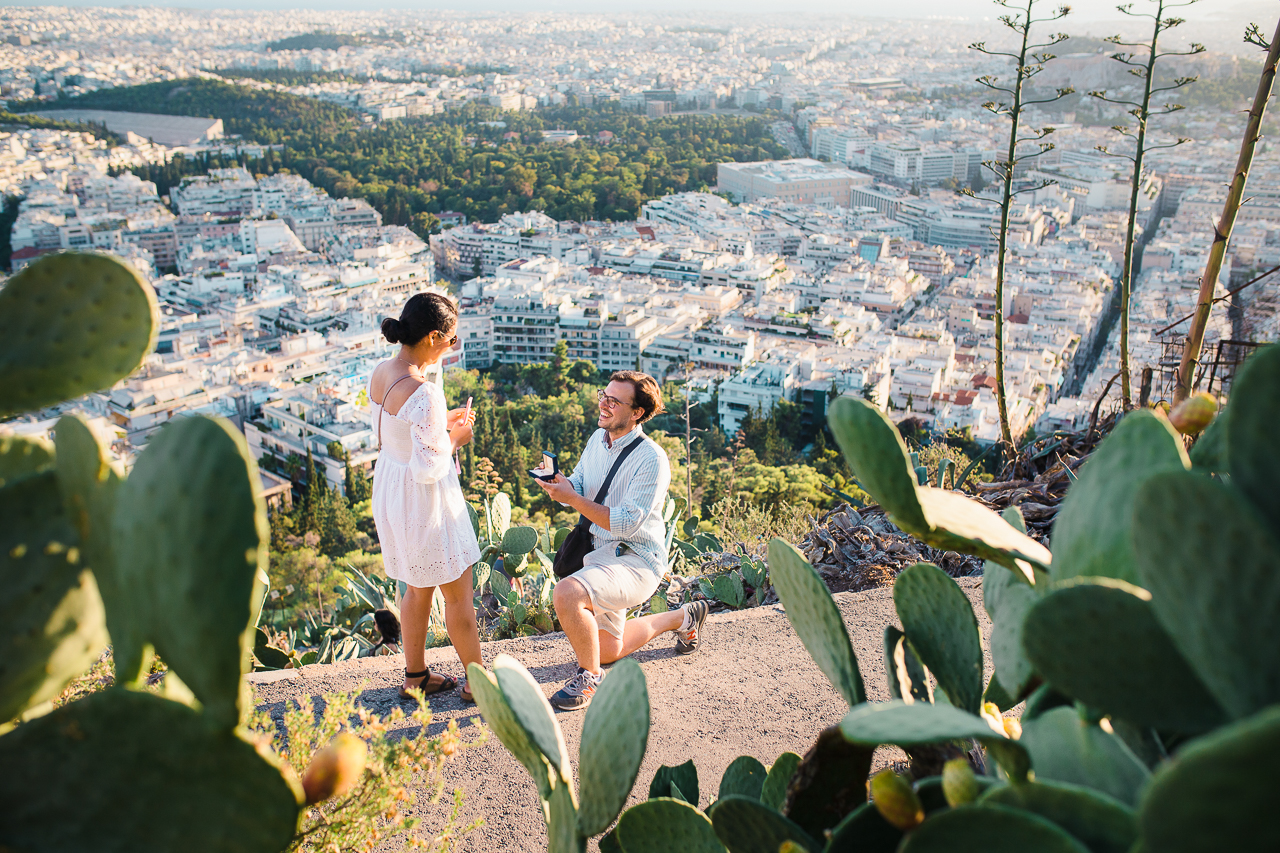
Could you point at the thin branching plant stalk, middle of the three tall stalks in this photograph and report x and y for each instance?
(1145, 70)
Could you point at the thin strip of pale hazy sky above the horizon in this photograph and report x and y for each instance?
(1259, 11)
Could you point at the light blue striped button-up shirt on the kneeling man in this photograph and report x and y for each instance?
(637, 495)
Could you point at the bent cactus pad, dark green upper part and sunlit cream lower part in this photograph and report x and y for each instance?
(943, 519)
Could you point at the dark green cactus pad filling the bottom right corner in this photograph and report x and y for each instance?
(1219, 787)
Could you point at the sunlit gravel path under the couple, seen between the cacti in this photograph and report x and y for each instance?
(752, 690)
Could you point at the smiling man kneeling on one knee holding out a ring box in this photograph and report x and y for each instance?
(629, 539)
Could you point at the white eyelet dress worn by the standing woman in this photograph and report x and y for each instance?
(419, 508)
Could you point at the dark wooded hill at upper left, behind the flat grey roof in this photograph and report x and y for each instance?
(260, 116)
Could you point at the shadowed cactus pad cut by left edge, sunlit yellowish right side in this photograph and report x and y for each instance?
(54, 627)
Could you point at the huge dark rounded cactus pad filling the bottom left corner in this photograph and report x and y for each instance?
(188, 788)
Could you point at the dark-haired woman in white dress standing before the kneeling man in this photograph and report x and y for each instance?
(419, 509)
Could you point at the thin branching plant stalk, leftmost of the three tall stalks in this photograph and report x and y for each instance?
(1028, 65)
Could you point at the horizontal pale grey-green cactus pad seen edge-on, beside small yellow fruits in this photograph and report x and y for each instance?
(908, 726)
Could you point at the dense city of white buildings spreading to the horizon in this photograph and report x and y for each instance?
(845, 263)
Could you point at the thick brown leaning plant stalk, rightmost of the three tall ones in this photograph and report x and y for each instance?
(1231, 208)
